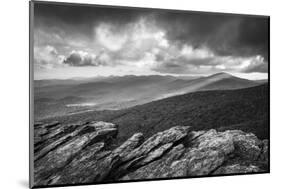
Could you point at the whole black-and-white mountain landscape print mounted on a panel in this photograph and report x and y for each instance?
(120, 94)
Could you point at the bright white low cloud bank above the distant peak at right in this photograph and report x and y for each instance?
(189, 60)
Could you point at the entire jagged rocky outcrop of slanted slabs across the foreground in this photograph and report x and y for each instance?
(87, 153)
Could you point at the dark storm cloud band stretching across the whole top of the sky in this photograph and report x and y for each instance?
(223, 33)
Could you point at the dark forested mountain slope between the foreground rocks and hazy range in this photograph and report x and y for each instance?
(245, 109)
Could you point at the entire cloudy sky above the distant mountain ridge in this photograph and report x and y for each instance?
(82, 41)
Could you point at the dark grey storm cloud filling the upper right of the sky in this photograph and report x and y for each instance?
(223, 33)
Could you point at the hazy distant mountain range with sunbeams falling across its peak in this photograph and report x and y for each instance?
(58, 97)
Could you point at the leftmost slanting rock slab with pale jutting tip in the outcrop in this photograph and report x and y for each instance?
(57, 156)
